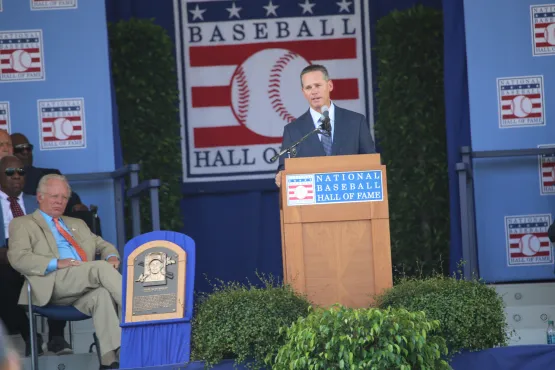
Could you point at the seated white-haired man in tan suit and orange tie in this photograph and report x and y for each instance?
(57, 254)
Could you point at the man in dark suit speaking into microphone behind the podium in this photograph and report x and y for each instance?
(350, 132)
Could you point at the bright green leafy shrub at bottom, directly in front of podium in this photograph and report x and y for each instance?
(345, 338)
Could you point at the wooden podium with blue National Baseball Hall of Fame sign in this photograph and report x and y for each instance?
(335, 229)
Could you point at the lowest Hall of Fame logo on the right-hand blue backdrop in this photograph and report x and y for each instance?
(527, 240)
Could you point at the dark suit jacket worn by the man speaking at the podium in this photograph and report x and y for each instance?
(351, 136)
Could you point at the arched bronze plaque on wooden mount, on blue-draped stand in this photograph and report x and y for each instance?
(156, 282)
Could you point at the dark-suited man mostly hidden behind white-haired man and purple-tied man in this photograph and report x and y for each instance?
(24, 151)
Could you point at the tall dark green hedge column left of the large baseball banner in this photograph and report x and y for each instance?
(143, 67)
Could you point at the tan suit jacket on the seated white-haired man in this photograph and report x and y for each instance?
(32, 246)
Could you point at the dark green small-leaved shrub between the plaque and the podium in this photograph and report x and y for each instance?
(242, 321)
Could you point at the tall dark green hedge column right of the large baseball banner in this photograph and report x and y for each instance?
(410, 132)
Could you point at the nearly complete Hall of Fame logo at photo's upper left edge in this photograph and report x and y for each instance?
(21, 56)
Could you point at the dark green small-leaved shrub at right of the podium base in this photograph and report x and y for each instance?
(471, 313)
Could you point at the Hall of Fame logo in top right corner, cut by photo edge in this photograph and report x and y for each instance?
(543, 29)
